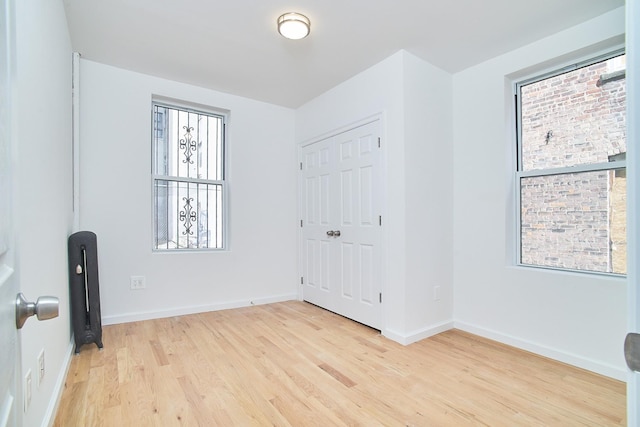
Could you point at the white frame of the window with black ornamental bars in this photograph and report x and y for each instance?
(224, 182)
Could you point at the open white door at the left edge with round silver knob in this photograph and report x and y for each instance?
(10, 350)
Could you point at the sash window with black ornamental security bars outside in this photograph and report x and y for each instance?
(188, 178)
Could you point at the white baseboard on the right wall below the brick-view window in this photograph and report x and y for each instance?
(552, 353)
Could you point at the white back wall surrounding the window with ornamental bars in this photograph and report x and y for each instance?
(115, 194)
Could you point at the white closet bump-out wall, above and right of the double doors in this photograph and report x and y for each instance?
(415, 100)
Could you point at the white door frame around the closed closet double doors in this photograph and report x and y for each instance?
(382, 177)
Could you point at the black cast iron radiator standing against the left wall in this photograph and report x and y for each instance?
(84, 289)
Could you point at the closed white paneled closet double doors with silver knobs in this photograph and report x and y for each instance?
(342, 224)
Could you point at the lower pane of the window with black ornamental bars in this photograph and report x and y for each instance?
(188, 215)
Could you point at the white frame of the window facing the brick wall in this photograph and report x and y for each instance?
(520, 174)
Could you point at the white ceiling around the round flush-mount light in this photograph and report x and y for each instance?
(233, 46)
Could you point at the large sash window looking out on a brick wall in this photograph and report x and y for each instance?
(571, 175)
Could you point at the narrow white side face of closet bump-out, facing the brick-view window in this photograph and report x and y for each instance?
(428, 187)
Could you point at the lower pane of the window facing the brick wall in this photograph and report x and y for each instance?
(575, 221)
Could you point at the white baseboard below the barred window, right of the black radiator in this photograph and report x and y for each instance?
(181, 311)
